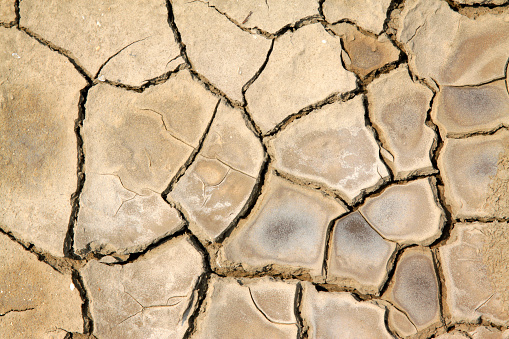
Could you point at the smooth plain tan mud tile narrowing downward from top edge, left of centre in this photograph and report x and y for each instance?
(227, 63)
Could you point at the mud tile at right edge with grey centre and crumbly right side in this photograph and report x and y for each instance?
(475, 172)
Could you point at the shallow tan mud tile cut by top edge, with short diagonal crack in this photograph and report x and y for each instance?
(268, 16)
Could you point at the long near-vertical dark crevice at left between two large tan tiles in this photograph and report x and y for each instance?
(80, 172)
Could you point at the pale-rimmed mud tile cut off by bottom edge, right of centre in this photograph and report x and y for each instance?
(340, 315)
